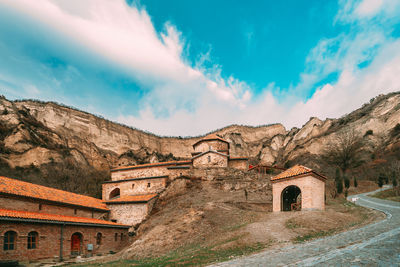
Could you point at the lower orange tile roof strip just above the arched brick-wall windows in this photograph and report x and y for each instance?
(5, 213)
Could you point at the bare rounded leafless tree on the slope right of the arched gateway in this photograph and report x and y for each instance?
(344, 150)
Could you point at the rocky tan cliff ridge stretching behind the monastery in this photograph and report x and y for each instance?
(45, 139)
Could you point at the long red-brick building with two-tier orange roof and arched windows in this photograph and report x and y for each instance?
(38, 222)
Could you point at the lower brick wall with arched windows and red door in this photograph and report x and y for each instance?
(48, 245)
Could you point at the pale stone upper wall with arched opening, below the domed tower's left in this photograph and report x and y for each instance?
(135, 187)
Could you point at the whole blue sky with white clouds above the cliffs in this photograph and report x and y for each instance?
(185, 68)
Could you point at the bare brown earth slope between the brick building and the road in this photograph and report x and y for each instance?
(198, 214)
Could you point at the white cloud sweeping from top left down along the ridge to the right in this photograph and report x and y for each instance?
(186, 100)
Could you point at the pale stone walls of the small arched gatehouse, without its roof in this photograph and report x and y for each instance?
(312, 192)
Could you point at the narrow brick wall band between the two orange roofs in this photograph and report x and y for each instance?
(14, 203)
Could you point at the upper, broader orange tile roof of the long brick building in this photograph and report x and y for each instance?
(25, 189)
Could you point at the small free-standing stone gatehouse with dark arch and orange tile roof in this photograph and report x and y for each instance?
(298, 188)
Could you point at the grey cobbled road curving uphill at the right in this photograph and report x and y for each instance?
(377, 244)
